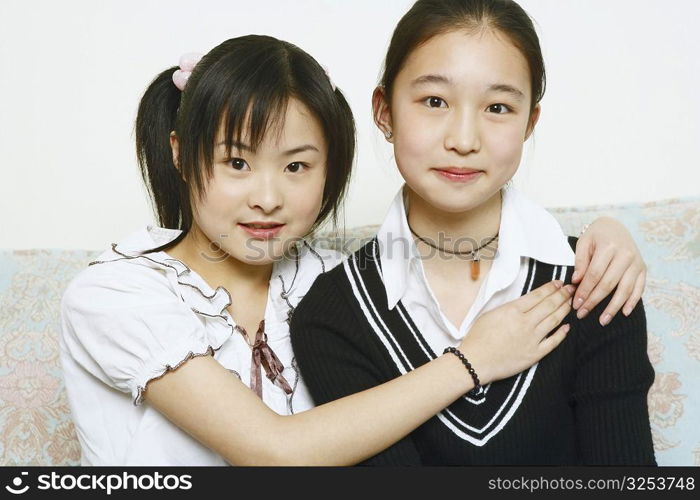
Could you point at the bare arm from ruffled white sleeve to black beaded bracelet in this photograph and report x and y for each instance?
(205, 400)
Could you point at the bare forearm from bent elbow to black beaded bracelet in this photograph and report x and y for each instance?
(354, 428)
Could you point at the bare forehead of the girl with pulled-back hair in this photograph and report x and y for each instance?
(467, 58)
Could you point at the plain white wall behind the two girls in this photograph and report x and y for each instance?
(620, 119)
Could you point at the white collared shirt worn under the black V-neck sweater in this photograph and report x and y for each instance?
(526, 230)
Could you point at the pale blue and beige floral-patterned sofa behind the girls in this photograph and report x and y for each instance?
(35, 423)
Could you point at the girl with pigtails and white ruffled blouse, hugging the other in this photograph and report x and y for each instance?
(175, 341)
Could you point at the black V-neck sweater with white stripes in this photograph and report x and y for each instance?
(585, 403)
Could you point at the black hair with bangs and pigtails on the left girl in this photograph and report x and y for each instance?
(244, 84)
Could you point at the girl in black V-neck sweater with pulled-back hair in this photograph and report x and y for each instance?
(459, 95)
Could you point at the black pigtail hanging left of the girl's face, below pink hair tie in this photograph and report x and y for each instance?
(156, 118)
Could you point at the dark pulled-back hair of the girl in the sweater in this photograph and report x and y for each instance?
(428, 18)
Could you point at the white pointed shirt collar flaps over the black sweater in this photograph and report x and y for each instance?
(526, 230)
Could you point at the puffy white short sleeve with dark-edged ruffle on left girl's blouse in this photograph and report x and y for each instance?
(126, 325)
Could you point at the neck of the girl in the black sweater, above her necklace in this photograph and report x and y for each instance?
(461, 231)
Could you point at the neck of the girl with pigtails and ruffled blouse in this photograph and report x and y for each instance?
(217, 267)
